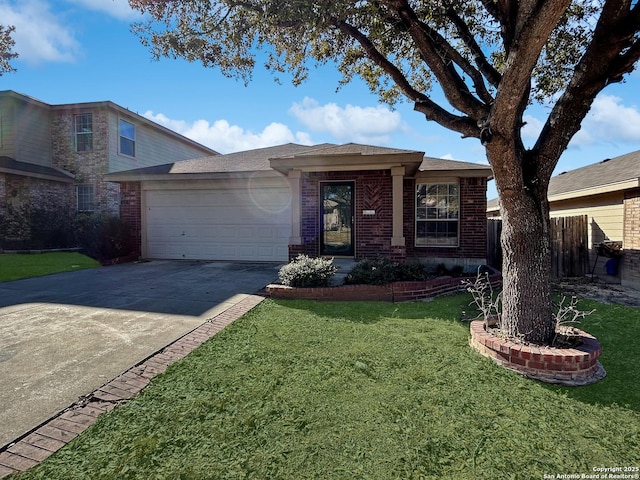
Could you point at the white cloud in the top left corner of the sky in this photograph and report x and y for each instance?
(40, 35)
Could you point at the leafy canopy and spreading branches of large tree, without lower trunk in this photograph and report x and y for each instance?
(476, 51)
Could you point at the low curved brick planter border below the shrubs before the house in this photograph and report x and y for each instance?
(391, 292)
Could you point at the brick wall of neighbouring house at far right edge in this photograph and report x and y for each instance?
(631, 239)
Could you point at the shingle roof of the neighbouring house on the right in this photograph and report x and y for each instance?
(607, 172)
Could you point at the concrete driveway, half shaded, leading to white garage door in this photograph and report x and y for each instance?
(63, 336)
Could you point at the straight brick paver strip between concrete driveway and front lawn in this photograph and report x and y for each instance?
(38, 444)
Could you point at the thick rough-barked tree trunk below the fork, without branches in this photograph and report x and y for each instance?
(526, 296)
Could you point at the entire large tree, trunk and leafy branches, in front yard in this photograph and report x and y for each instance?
(490, 59)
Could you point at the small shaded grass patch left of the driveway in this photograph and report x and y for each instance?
(18, 266)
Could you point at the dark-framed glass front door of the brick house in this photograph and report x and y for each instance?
(337, 219)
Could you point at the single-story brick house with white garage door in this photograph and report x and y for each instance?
(270, 204)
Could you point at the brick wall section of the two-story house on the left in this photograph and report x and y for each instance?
(88, 167)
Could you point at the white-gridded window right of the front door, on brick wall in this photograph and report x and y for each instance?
(437, 214)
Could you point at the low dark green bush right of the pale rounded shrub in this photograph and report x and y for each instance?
(382, 270)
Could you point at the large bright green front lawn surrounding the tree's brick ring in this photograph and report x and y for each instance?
(304, 390)
